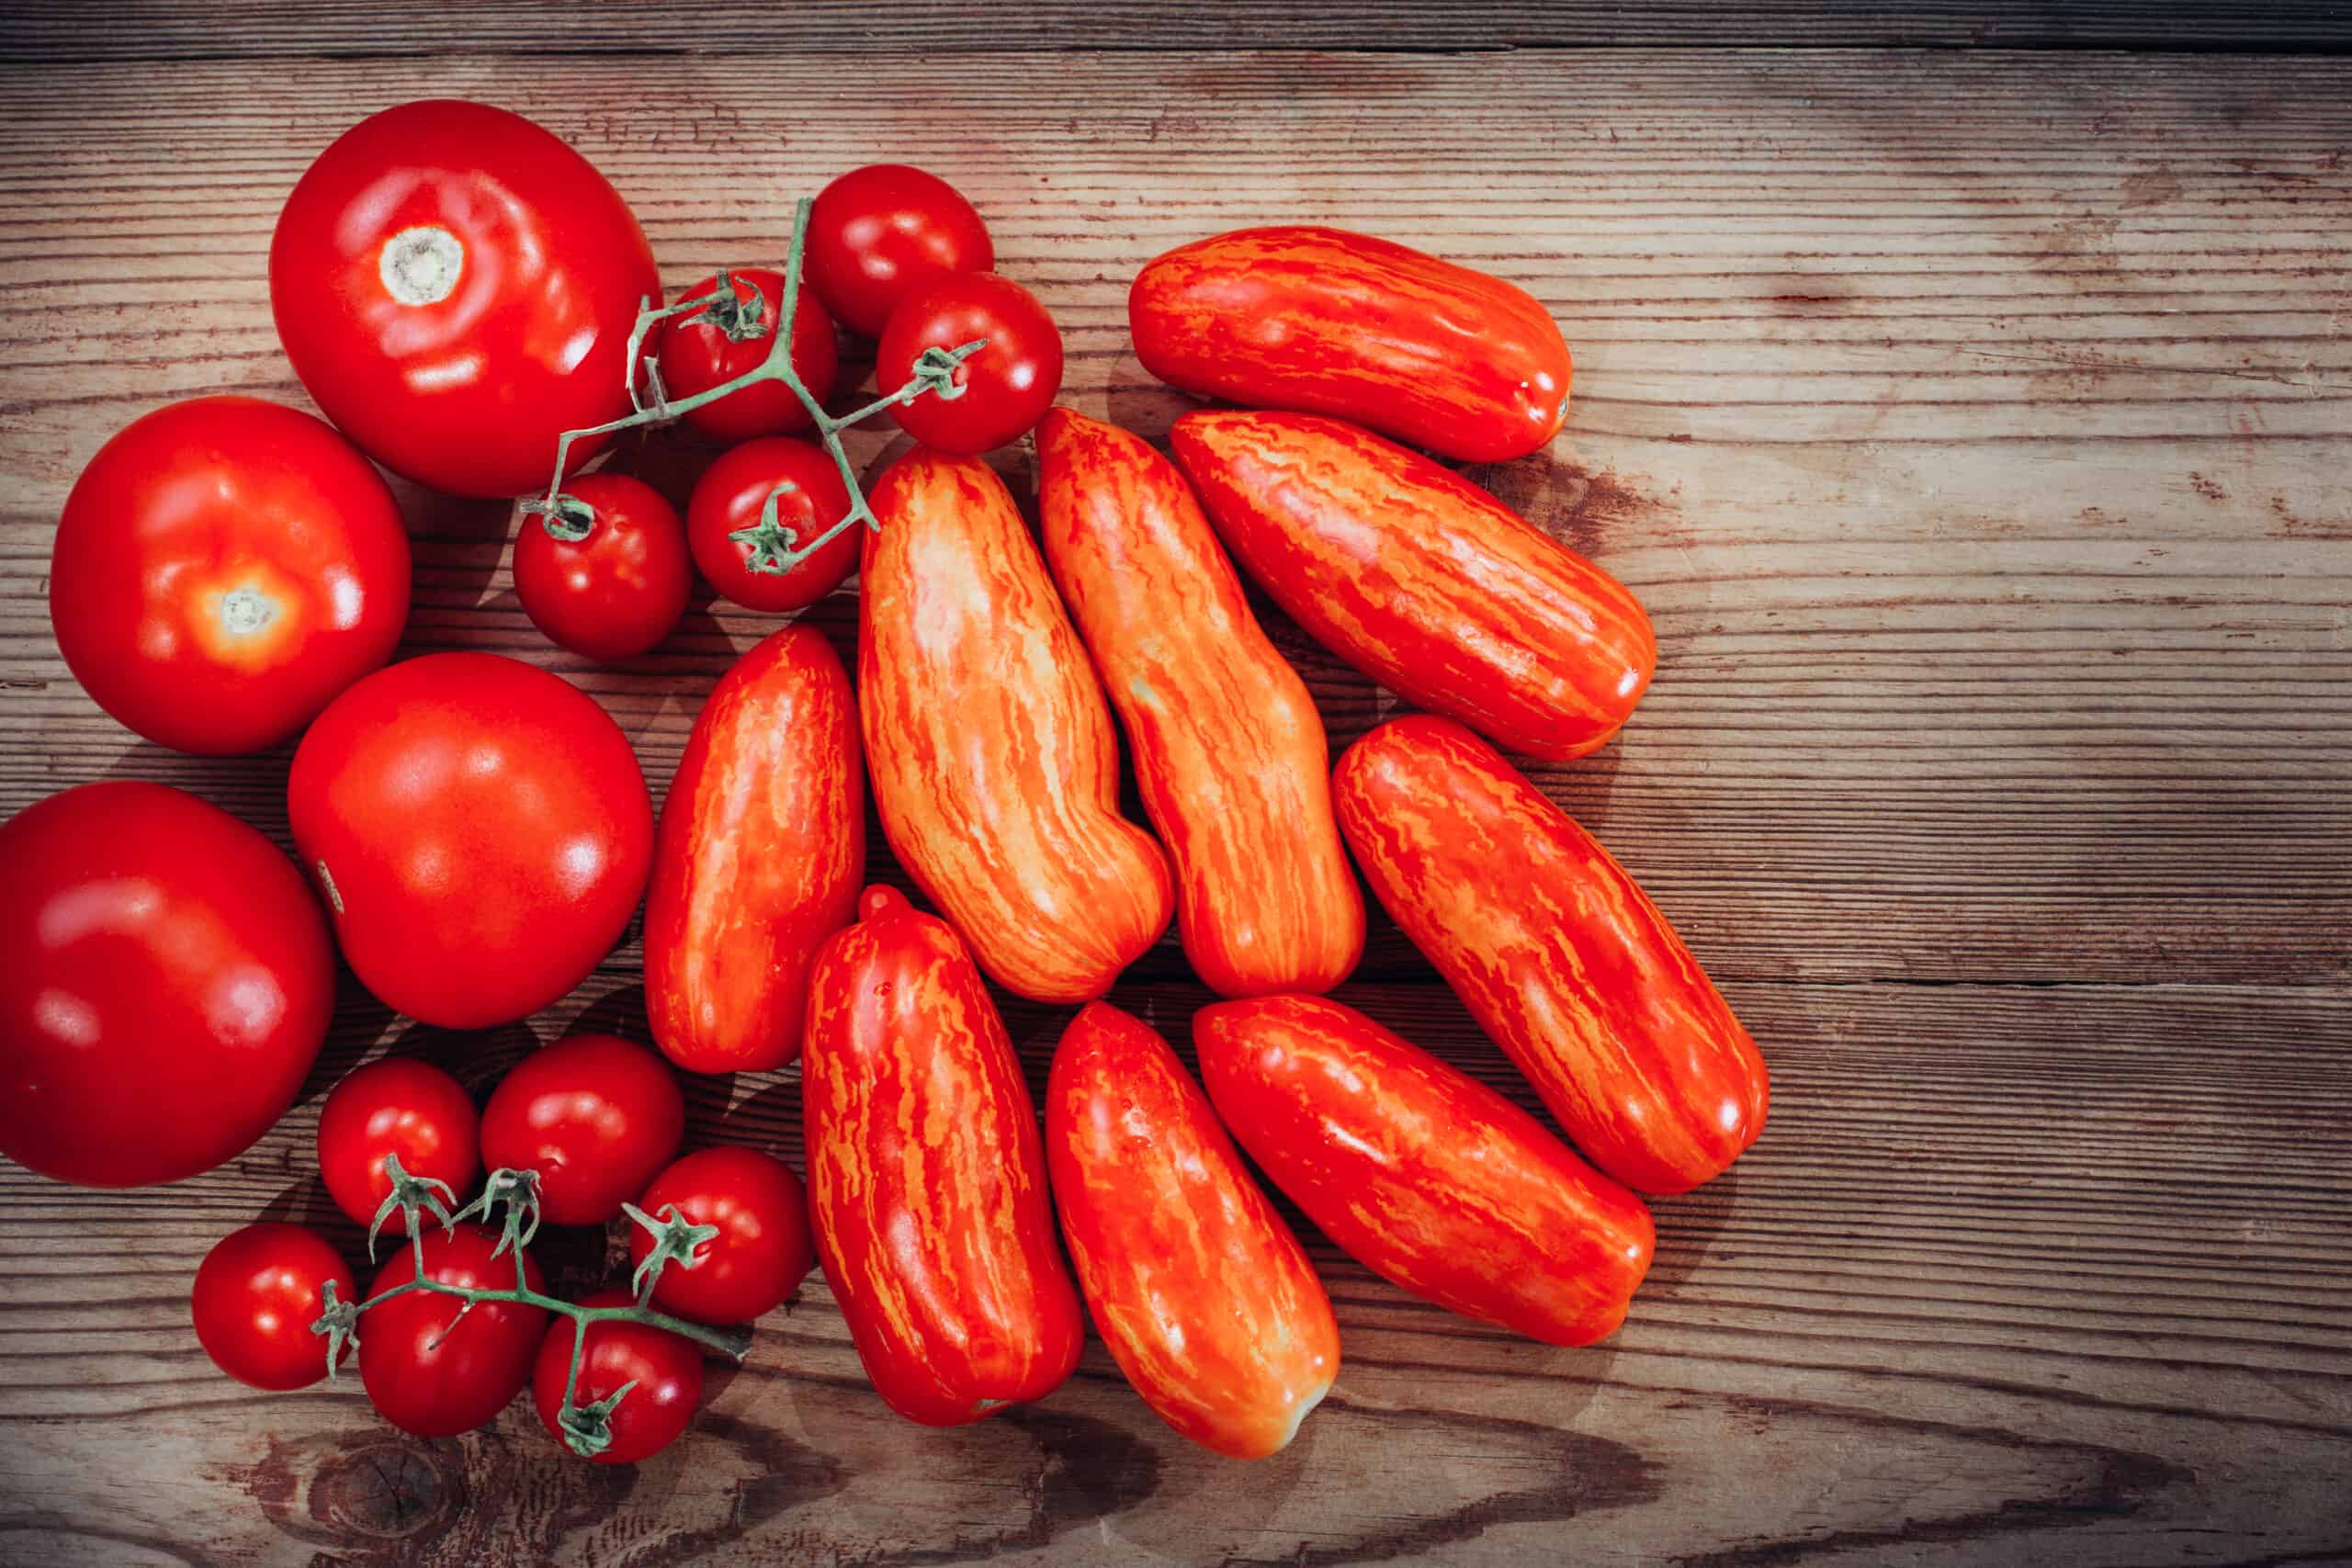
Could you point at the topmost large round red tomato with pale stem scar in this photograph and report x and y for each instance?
(455, 288)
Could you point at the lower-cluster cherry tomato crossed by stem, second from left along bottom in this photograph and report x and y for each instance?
(432, 1374)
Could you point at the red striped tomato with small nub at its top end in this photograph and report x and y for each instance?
(926, 1174)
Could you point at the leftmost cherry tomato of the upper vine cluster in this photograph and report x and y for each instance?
(617, 591)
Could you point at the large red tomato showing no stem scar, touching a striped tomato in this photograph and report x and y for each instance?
(481, 833)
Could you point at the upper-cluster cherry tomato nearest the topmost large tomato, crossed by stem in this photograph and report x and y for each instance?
(697, 354)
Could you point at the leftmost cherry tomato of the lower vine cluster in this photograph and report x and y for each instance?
(255, 1299)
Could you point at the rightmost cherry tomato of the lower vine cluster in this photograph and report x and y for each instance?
(763, 1247)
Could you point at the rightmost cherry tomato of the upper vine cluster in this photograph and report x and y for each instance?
(1005, 387)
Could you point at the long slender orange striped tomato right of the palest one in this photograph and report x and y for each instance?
(1229, 749)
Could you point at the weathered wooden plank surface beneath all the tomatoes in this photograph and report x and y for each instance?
(1979, 436)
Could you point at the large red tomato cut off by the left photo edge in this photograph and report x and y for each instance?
(163, 993)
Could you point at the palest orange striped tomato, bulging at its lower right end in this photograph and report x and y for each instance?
(991, 751)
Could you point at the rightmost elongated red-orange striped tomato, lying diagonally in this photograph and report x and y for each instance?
(1556, 951)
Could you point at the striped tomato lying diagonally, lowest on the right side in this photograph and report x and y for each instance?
(1424, 1174)
